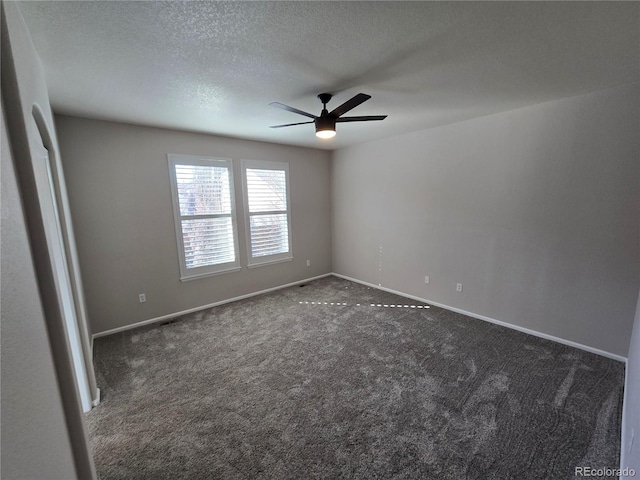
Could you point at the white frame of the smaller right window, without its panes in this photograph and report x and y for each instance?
(275, 258)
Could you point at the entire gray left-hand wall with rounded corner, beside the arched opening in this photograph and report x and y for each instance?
(43, 433)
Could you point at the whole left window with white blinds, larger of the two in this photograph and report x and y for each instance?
(204, 212)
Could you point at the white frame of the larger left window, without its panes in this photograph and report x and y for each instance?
(207, 270)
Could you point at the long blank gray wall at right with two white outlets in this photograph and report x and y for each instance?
(534, 210)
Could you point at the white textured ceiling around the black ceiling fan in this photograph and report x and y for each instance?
(214, 66)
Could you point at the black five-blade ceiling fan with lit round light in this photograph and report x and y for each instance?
(326, 122)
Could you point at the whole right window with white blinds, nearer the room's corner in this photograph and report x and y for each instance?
(266, 193)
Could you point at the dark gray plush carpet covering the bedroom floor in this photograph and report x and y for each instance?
(316, 382)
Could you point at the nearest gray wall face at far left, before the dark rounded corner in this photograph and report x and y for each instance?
(35, 442)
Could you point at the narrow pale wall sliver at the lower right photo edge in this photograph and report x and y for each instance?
(630, 449)
